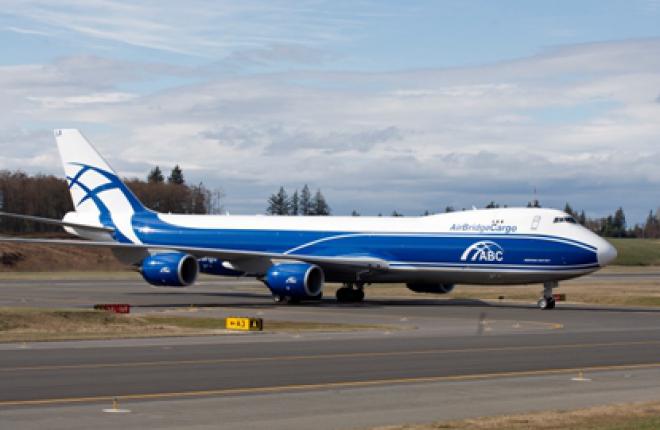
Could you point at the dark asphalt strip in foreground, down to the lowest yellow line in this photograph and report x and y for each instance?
(65, 376)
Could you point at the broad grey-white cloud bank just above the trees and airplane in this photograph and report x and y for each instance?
(580, 124)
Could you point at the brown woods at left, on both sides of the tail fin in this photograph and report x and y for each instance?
(48, 196)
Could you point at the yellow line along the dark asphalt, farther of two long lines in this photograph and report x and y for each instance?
(324, 356)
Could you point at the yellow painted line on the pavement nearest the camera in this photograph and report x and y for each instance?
(327, 385)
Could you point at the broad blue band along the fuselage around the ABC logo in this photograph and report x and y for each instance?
(431, 249)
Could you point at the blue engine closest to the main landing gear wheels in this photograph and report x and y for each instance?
(295, 280)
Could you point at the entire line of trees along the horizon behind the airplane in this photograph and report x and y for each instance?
(48, 196)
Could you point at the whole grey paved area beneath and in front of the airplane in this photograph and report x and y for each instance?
(436, 351)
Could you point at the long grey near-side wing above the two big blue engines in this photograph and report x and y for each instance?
(346, 262)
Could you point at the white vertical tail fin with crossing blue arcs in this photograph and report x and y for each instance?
(95, 188)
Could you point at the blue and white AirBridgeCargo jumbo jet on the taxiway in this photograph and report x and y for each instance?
(294, 256)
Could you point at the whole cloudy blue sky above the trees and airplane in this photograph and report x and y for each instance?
(383, 105)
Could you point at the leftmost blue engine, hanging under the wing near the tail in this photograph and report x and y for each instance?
(170, 269)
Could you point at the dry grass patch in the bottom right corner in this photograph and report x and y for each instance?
(638, 416)
